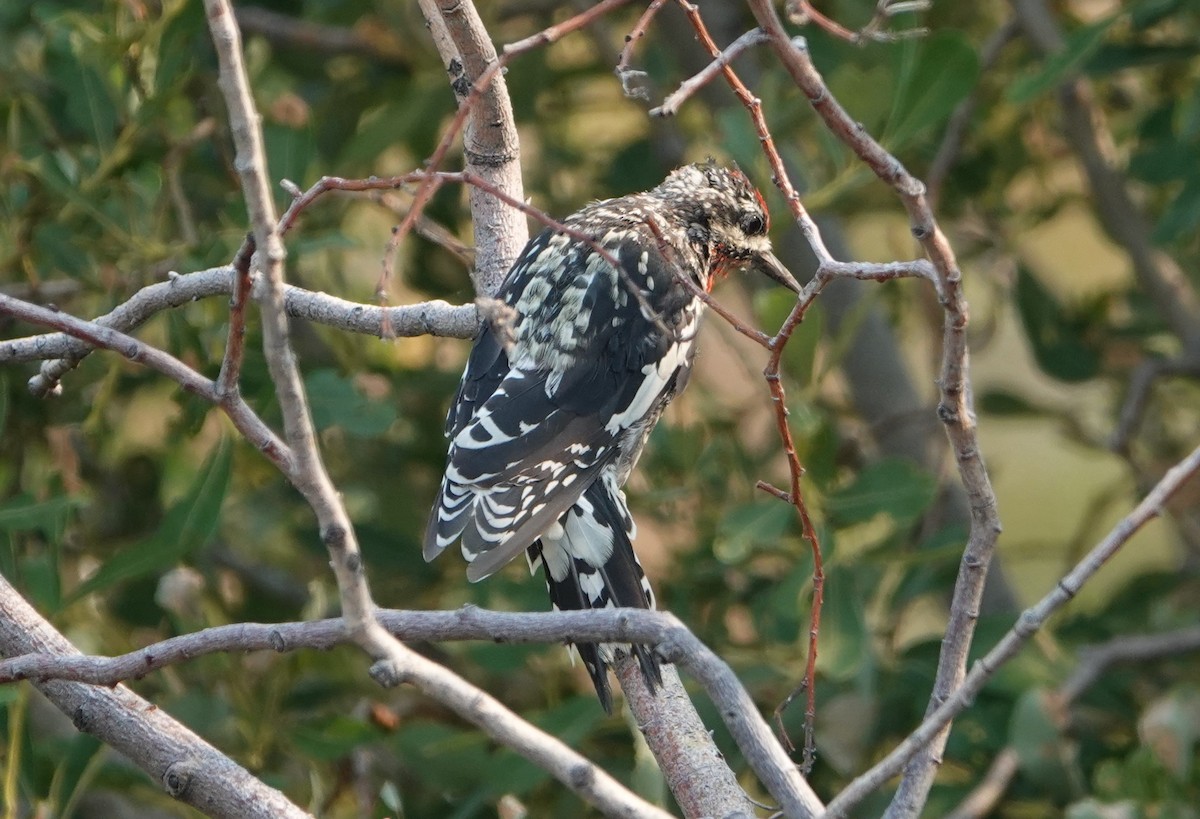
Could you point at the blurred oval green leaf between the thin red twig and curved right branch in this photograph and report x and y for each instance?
(893, 487)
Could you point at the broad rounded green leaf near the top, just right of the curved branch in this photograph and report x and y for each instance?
(944, 75)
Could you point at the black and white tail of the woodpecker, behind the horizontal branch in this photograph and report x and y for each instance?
(590, 564)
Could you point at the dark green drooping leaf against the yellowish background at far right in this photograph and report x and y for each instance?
(1057, 337)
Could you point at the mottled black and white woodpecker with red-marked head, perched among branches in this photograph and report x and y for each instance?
(562, 391)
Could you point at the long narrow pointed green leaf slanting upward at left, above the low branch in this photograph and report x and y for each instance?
(189, 525)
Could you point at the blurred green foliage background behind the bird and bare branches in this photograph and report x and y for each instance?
(130, 512)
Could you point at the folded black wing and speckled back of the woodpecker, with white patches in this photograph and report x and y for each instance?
(535, 427)
